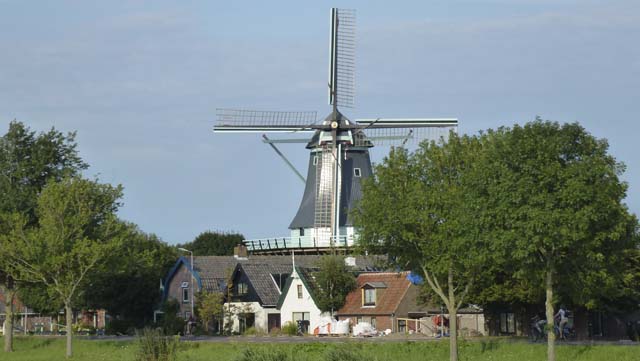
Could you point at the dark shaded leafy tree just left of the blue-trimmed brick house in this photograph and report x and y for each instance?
(127, 284)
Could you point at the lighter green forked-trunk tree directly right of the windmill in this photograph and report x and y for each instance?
(418, 209)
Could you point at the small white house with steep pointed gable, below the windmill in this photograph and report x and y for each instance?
(298, 301)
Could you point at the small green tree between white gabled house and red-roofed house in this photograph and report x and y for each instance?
(334, 280)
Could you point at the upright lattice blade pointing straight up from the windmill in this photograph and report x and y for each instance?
(342, 79)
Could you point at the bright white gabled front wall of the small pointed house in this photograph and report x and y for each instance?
(293, 304)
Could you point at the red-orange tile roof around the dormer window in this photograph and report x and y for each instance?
(387, 299)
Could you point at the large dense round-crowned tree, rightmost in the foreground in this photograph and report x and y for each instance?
(550, 200)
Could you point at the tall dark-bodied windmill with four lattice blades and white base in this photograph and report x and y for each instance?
(339, 148)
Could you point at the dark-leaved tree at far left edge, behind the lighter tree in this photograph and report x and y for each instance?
(27, 162)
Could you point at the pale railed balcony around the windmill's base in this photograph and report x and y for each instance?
(301, 242)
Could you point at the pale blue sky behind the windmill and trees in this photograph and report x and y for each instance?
(140, 82)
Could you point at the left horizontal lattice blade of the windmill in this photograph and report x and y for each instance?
(245, 120)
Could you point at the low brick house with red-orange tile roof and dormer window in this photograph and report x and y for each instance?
(390, 301)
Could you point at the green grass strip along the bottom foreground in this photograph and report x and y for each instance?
(37, 348)
